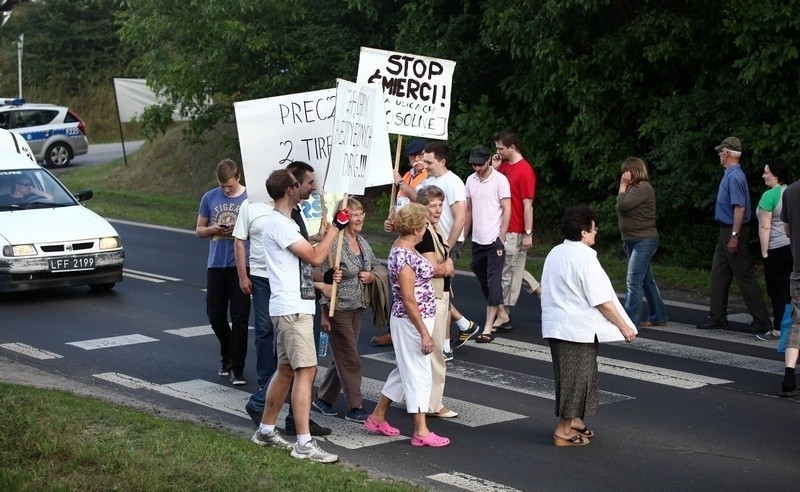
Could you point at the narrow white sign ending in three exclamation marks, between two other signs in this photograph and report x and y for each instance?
(353, 129)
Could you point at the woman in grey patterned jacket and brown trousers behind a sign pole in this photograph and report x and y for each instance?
(355, 271)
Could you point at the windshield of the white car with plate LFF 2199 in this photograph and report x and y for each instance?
(32, 188)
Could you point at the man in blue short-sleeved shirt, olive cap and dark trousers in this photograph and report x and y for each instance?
(731, 255)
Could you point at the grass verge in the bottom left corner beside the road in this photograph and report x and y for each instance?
(88, 444)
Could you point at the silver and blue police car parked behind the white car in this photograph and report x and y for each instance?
(55, 133)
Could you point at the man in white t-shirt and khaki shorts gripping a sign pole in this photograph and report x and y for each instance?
(289, 261)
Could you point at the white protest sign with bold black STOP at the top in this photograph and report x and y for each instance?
(416, 90)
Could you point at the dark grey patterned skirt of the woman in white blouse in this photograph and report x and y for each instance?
(575, 370)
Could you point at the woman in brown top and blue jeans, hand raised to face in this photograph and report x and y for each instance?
(636, 213)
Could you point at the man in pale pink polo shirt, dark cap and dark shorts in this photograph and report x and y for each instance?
(488, 215)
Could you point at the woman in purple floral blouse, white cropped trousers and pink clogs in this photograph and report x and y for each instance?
(411, 324)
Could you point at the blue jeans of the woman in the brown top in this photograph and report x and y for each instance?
(640, 280)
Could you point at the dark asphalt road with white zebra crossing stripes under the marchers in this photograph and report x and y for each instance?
(680, 408)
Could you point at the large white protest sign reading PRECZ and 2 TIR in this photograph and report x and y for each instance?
(275, 131)
